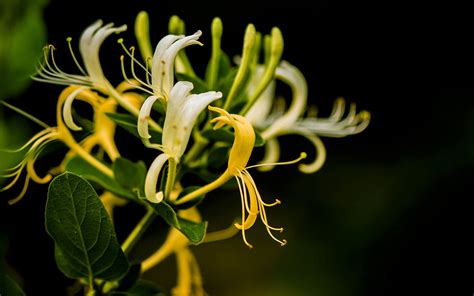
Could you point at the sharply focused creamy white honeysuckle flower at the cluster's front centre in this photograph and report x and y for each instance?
(181, 114)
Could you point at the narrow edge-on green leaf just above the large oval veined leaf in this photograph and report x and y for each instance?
(82, 168)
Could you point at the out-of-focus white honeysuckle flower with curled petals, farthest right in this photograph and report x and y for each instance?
(276, 124)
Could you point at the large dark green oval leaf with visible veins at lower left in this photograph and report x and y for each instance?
(85, 242)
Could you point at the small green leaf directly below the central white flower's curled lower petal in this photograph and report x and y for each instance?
(195, 232)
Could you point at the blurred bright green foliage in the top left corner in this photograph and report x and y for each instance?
(22, 34)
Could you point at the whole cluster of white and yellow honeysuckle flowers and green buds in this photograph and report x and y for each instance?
(192, 122)
